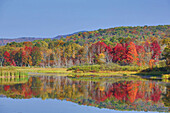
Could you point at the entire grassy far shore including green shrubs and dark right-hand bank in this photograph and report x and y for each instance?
(95, 70)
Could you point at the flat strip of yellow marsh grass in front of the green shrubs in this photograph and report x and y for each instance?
(64, 71)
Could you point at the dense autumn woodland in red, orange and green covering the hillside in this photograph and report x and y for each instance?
(139, 46)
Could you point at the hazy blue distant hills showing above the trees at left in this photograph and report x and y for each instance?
(25, 39)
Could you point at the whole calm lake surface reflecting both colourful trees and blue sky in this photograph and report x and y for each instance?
(56, 94)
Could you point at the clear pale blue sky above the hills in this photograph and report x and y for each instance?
(49, 18)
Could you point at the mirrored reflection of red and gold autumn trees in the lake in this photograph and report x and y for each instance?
(118, 95)
